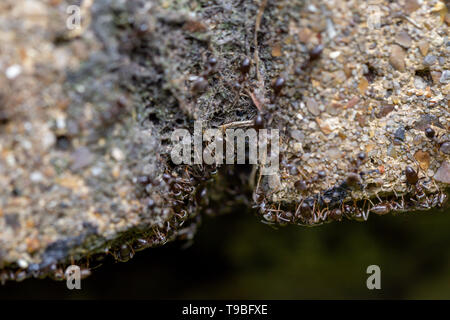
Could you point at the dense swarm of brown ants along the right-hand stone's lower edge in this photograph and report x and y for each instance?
(331, 206)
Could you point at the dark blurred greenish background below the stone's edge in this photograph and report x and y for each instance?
(234, 256)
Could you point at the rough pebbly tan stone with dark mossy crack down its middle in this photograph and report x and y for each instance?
(86, 118)
